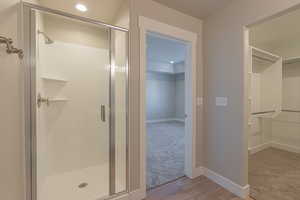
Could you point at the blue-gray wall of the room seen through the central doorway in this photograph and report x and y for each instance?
(165, 96)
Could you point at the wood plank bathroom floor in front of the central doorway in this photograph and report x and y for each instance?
(184, 188)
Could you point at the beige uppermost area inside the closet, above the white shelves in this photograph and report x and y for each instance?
(278, 33)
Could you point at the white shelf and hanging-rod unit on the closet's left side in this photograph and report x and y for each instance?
(264, 69)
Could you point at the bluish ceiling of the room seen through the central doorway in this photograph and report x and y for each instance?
(162, 50)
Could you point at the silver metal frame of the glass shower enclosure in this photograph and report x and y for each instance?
(28, 38)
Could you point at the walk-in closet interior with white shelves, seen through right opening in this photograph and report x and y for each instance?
(274, 108)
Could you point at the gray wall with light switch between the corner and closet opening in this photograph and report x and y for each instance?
(225, 76)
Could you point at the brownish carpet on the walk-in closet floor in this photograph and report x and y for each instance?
(274, 175)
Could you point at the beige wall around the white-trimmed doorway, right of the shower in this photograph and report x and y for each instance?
(163, 14)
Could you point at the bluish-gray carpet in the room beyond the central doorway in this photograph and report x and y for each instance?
(165, 152)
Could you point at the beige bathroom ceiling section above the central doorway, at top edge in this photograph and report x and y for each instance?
(195, 8)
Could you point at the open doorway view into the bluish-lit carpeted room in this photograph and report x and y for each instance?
(165, 109)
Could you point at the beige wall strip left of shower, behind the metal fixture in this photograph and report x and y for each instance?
(11, 142)
